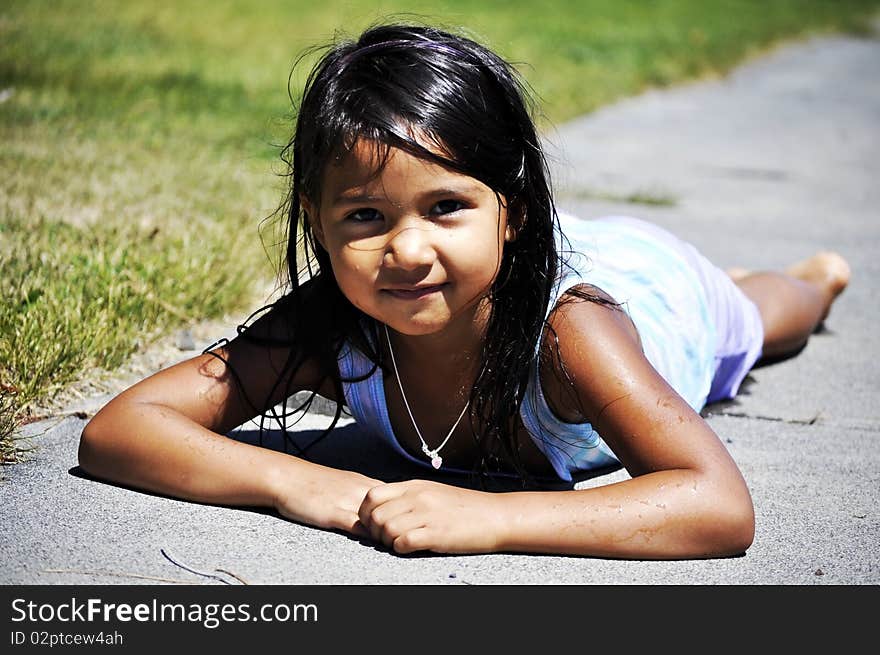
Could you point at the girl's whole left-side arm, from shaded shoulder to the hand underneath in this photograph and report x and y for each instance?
(166, 434)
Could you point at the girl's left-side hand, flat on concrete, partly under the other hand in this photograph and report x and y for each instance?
(326, 498)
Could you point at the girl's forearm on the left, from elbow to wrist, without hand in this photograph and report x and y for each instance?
(153, 447)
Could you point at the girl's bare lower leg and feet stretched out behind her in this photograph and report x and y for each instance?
(794, 303)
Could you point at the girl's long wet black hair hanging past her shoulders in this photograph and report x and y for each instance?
(471, 113)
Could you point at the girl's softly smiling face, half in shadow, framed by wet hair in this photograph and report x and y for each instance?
(416, 246)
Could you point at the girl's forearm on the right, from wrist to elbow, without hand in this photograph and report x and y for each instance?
(662, 515)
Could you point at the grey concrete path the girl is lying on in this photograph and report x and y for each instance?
(758, 169)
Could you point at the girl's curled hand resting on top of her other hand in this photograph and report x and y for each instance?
(423, 515)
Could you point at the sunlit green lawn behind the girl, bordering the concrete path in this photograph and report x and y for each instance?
(139, 143)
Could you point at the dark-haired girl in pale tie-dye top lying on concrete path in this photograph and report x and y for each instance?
(436, 292)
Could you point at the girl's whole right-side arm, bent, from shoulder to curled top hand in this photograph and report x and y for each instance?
(686, 497)
